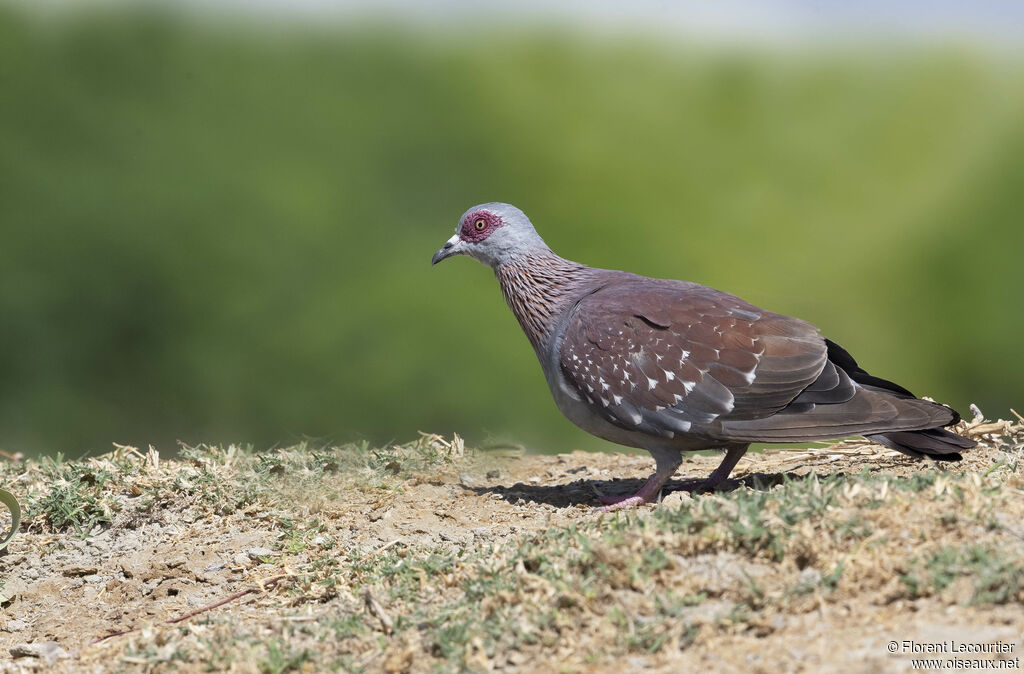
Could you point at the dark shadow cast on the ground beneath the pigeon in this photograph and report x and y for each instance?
(586, 492)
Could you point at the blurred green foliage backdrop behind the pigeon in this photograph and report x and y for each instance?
(222, 232)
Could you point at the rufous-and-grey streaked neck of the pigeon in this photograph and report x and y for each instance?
(539, 288)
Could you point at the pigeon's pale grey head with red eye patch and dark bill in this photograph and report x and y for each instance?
(493, 234)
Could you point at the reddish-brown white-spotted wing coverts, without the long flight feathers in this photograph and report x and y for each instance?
(645, 352)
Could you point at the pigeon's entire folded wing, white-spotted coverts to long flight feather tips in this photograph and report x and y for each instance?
(667, 358)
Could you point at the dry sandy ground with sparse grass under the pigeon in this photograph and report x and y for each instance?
(434, 558)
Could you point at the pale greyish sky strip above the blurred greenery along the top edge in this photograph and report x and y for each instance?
(784, 22)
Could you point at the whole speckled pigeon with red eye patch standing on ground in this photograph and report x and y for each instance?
(673, 366)
